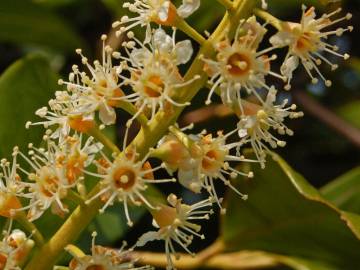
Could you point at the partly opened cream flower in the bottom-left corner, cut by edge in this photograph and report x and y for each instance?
(14, 248)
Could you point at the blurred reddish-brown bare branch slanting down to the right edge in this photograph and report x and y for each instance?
(326, 116)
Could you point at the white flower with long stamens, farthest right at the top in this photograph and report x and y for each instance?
(307, 41)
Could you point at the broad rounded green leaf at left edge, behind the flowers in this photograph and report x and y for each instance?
(25, 86)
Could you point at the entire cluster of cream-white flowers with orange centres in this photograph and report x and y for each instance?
(146, 79)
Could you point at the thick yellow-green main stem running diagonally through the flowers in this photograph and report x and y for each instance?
(146, 138)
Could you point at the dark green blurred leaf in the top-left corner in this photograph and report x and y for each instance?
(23, 22)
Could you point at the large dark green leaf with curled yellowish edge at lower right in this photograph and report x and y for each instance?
(286, 215)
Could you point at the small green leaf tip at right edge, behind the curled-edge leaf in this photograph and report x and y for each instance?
(344, 191)
